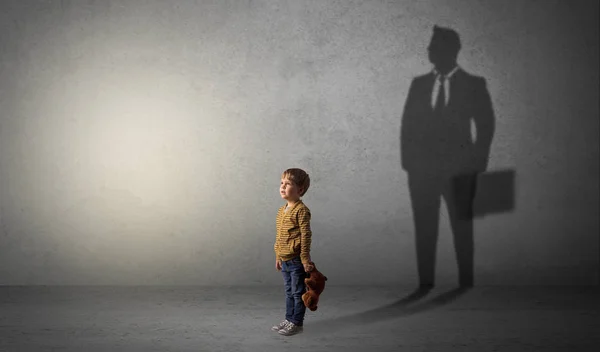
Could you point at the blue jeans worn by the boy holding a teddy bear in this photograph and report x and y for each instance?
(293, 278)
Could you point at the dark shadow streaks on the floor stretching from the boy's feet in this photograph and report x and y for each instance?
(400, 308)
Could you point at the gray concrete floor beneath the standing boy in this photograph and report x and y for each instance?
(89, 319)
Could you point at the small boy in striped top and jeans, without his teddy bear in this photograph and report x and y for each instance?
(292, 248)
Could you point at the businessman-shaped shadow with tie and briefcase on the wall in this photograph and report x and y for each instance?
(446, 133)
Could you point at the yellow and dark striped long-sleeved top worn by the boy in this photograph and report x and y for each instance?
(293, 233)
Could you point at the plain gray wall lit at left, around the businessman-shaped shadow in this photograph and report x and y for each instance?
(141, 142)
